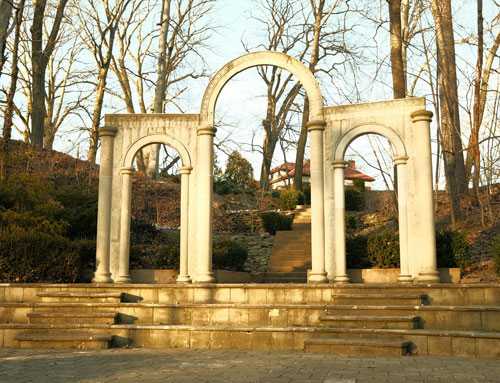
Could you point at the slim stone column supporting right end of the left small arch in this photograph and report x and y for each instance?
(183, 277)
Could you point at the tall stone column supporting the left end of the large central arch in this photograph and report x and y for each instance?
(204, 272)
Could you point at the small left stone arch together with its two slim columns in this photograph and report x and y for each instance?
(126, 172)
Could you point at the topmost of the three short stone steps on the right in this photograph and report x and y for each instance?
(376, 299)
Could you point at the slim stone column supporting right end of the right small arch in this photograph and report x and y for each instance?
(404, 273)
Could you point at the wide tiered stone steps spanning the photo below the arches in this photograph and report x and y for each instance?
(356, 319)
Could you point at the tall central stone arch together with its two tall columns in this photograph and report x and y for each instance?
(206, 132)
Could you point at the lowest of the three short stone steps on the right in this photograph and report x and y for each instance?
(343, 346)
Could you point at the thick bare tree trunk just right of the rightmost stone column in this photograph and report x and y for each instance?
(450, 119)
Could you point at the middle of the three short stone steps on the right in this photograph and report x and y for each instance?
(365, 321)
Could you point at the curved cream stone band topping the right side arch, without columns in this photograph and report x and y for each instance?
(371, 128)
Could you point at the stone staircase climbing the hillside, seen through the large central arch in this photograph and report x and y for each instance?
(291, 254)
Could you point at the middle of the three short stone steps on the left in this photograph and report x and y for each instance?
(72, 317)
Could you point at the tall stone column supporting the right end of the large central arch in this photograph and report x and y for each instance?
(318, 274)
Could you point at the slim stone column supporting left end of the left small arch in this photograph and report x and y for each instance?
(123, 266)
